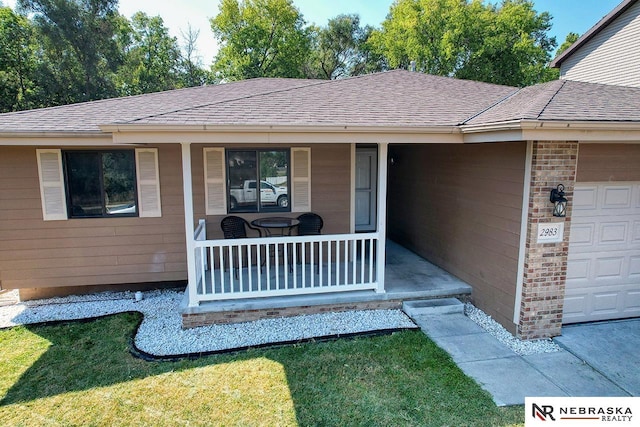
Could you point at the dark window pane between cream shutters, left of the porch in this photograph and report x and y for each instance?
(100, 183)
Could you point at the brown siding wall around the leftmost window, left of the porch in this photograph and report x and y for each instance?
(88, 251)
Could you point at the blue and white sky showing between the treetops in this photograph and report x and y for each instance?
(568, 15)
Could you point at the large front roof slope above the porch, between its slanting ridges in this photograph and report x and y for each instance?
(395, 98)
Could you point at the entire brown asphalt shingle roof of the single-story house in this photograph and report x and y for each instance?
(391, 99)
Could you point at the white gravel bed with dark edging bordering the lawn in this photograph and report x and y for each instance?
(161, 333)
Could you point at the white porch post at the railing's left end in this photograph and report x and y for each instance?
(189, 229)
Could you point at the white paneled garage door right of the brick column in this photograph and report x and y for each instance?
(603, 272)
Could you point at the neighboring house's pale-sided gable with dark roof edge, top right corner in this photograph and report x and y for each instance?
(610, 57)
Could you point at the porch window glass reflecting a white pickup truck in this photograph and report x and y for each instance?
(258, 180)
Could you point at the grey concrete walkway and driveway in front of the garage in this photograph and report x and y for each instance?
(597, 360)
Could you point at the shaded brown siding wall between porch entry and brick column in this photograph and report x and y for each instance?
(460, 207)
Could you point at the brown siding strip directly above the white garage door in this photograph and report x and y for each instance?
(608, 162)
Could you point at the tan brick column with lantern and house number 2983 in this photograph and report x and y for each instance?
(545, 266)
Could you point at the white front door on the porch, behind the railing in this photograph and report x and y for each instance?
(366, 188)
